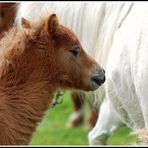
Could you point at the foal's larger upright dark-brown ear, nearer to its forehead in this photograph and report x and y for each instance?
(51, 24)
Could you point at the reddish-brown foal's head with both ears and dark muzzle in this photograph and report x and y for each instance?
(73, 67)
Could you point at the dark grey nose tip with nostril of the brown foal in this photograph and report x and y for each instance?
(98, 79)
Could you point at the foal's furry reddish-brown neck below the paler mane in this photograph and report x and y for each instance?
(25, 94)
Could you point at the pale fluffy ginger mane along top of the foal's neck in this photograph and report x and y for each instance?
(15, 41)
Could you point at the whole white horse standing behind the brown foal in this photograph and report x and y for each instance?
(115, 34)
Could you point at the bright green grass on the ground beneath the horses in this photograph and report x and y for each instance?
(53, 131)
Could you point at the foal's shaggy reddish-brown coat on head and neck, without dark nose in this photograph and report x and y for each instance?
(34, 62)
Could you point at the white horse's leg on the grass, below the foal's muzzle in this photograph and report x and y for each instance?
(107, 123)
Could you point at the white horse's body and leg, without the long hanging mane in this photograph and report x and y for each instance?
(127, 75)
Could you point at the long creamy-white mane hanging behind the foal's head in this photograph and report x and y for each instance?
(94, 23)
